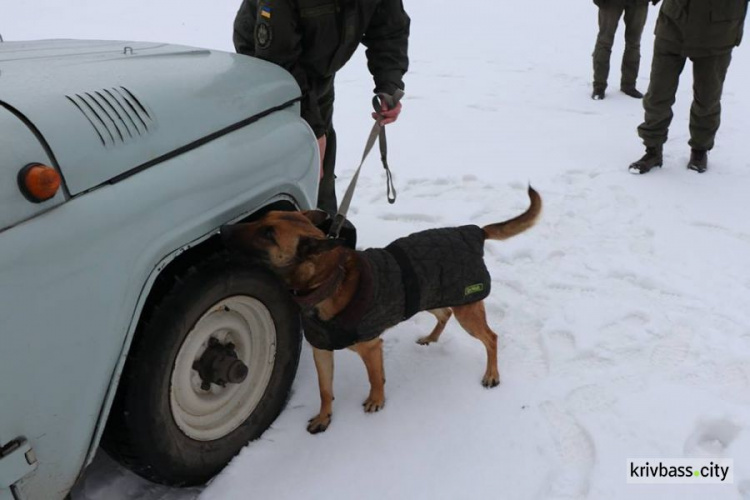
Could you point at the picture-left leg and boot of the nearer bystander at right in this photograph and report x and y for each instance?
(666, 67)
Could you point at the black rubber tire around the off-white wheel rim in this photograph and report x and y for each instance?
(141, 432)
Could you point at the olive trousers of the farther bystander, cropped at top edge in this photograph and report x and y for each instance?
(634, 14)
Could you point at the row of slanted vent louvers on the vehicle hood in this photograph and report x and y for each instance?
(115, 113)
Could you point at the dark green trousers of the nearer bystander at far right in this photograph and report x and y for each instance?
(709, 73)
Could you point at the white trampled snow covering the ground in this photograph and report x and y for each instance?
(623, 314)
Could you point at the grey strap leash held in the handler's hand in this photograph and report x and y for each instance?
(378, 131)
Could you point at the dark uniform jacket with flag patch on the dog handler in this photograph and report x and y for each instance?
(313, 39)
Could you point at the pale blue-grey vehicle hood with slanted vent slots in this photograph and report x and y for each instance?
(108, 107)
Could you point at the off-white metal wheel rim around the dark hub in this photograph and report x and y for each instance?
(208, 415)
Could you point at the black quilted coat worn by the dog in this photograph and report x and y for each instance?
(426, 270)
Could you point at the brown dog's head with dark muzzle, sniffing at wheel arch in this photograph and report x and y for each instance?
(281, 240)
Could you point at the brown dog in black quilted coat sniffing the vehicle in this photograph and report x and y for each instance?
(348, 298)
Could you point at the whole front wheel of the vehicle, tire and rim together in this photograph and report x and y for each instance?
(209, 371)
